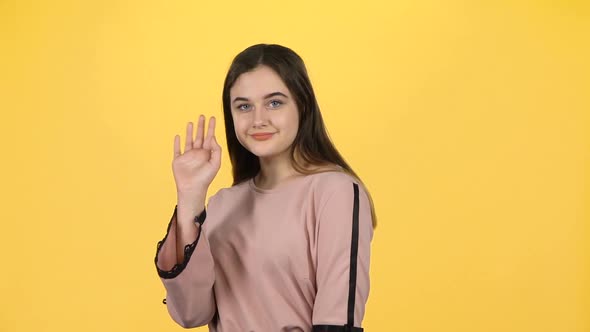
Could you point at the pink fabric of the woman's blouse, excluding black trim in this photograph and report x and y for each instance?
(274, 260)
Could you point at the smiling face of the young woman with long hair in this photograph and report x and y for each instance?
(265, 114)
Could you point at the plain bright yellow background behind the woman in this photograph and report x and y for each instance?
(468, 120)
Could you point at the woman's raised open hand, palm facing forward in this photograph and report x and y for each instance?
(195, 169)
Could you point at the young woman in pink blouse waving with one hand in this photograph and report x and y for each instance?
(287, 246)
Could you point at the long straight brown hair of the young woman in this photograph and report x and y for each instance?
(312, 145)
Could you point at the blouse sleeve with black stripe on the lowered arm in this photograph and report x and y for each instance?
(344, 232)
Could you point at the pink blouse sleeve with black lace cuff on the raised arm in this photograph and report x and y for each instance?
(189, 284)
